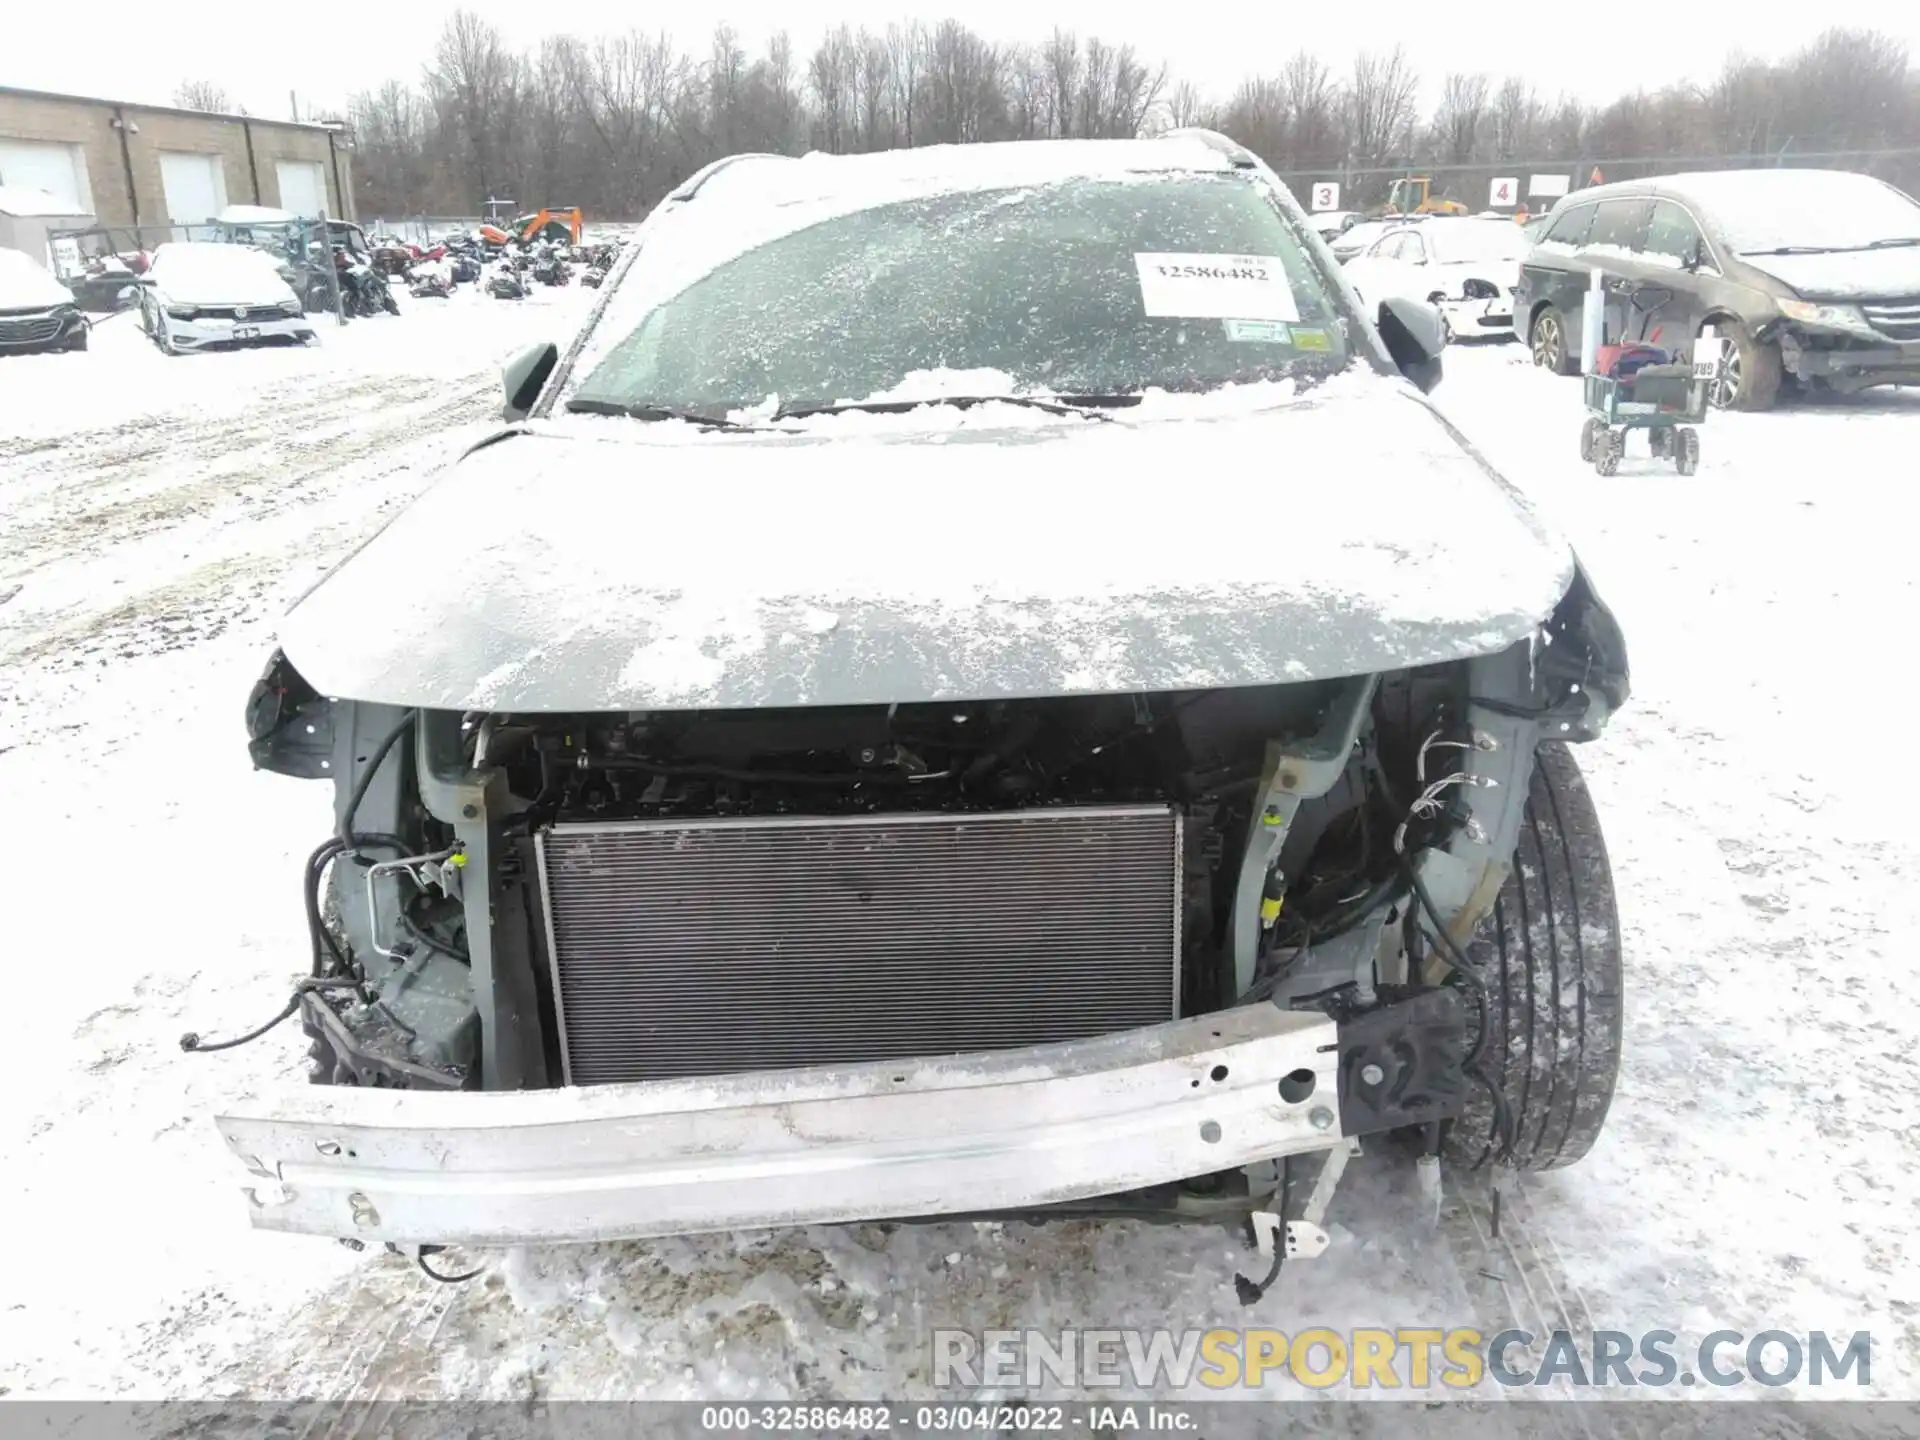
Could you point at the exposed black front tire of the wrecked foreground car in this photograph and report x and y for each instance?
(1550, 957)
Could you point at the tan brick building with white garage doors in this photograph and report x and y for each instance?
(155, 166)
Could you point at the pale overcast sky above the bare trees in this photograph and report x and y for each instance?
(262, 53)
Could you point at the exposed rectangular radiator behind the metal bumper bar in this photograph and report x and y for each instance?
(704, 948)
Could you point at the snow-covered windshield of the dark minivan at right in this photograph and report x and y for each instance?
(1790, 212)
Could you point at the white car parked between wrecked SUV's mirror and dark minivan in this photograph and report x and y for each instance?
(1466, 266)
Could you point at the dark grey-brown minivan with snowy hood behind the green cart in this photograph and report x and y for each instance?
(1810, 277)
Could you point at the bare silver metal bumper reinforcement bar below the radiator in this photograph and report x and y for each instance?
(873, 1141)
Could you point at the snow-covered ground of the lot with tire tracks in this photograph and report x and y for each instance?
(1762, 1168)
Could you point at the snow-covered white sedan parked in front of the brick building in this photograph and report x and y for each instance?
(210, 297)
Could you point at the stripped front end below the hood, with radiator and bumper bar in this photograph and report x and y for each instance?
(1020, 957)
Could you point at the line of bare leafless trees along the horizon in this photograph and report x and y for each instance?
(613, 122)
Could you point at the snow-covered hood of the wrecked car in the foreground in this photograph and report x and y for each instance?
(627, 565)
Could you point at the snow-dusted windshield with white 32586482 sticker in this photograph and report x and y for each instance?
(1090, 289)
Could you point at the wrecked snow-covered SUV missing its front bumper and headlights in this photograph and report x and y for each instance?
(892, 727)
